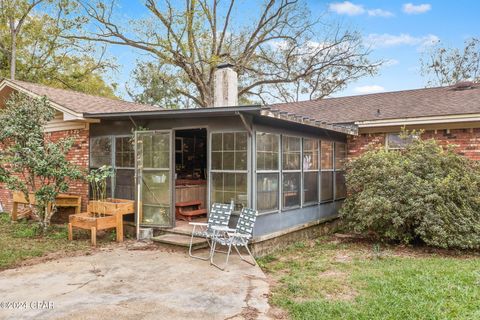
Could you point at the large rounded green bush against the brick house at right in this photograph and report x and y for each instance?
(421, 193)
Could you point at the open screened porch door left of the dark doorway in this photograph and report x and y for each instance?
(154, 167)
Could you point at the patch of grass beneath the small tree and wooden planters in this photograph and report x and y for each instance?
(22, 240)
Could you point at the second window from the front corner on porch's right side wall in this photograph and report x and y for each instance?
(291, 171)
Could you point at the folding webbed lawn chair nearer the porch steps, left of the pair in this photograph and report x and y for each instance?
(219, 217)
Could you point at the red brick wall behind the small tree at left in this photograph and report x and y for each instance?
(78, 155)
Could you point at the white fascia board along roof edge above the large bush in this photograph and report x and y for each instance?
(419, 120)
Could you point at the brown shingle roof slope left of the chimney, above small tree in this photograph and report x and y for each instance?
(81, 102)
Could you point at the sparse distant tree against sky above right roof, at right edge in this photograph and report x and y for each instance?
(443, 66)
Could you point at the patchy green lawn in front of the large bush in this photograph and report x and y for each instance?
(331, 279)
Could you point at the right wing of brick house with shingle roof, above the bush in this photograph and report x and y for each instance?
(451, 115)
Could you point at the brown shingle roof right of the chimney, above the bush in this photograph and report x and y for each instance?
(438, 101)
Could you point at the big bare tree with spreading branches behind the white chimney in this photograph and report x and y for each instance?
(277, 54)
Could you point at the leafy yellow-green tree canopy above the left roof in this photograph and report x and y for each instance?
(43, 55)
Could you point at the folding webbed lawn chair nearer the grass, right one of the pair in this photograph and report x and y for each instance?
(235, 238)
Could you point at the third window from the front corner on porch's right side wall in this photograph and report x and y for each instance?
(310, 170)
